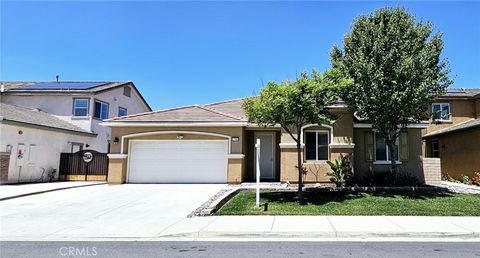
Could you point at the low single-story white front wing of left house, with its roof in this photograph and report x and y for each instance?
(31, 142)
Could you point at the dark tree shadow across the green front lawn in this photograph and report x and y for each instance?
(321, 198)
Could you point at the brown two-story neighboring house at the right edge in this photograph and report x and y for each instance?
(454, 132)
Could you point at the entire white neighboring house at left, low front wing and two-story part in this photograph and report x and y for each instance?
(41, 120)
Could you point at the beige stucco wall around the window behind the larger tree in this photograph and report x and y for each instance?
(412, 167)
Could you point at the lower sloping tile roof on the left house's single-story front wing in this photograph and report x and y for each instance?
(37, 117)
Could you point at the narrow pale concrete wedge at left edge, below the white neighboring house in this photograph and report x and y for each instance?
(20, 190)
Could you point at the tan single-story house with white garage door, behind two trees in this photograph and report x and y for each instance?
(214, 143)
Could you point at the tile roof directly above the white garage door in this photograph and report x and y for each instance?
(194, 113)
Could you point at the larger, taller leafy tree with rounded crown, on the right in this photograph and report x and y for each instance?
(396, 68)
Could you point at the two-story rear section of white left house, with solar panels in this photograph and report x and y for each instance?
(84, 104)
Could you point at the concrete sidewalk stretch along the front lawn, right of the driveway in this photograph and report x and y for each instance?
(330, 227)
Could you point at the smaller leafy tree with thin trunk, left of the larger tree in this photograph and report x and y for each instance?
(293, 104)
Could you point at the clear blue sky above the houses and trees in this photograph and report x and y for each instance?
(181, 53)
